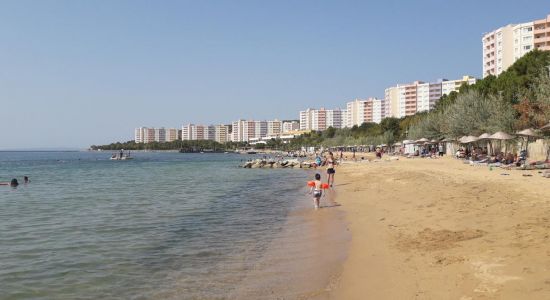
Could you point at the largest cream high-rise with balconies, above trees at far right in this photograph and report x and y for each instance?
(503, 46)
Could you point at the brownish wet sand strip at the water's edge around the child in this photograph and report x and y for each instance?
(304, 259)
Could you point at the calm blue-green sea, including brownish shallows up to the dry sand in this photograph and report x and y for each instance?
(162, 226)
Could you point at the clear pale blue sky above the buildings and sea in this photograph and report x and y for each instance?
(77, 73)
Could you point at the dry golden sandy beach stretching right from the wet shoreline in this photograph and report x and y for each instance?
(441, 229)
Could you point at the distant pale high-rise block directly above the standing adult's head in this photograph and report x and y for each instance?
(321, 119)
